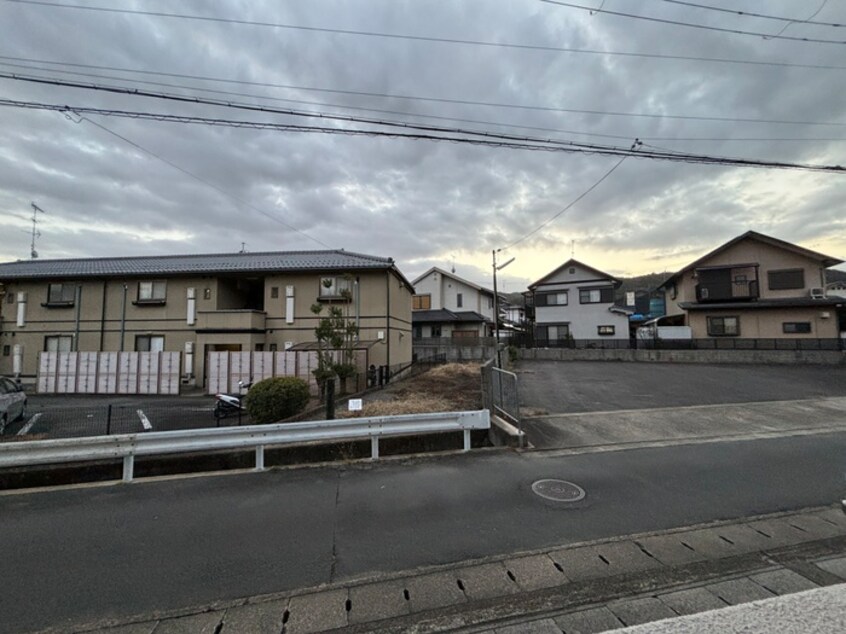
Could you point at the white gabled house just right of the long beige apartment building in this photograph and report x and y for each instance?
(446, 305)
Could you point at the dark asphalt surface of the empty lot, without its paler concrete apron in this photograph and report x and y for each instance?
(590, 386)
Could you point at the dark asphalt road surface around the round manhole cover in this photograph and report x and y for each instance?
(77, 555)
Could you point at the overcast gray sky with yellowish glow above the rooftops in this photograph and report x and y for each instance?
(423, 203)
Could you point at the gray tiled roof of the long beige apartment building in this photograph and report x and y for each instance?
(268, 262)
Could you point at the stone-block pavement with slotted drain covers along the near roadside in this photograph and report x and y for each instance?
(591, 587)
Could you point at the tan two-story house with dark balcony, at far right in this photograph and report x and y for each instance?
(756, 286)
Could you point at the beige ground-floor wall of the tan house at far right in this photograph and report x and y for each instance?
(767, 323)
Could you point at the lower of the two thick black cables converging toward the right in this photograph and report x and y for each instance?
(489, 141)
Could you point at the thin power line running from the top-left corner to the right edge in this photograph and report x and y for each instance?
(422, 38)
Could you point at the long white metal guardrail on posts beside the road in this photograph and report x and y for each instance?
(127, 446)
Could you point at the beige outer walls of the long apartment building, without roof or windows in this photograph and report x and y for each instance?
(100, 330)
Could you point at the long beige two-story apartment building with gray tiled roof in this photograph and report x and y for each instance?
(199, 303)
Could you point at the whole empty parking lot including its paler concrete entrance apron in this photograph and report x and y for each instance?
(576, 405)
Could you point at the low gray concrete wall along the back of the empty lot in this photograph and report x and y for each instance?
(791, 357)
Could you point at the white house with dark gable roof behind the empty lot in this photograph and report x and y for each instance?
(576, 302)
